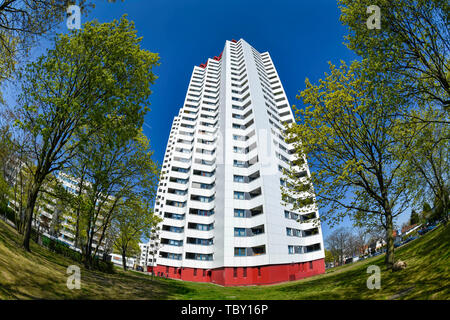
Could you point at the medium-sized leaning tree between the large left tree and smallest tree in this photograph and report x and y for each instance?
(117, 167)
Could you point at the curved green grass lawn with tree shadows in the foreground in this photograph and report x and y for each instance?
(41, 274)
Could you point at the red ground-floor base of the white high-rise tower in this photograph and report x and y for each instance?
(241, 276)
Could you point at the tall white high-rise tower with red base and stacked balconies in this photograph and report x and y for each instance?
(219, 192)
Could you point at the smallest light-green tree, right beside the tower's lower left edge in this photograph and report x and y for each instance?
(133, 220)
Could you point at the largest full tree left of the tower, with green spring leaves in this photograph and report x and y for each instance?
(89, 77)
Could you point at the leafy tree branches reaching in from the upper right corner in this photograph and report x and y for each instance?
(413, 45)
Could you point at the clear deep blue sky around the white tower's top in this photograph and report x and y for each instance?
(301, 37)
